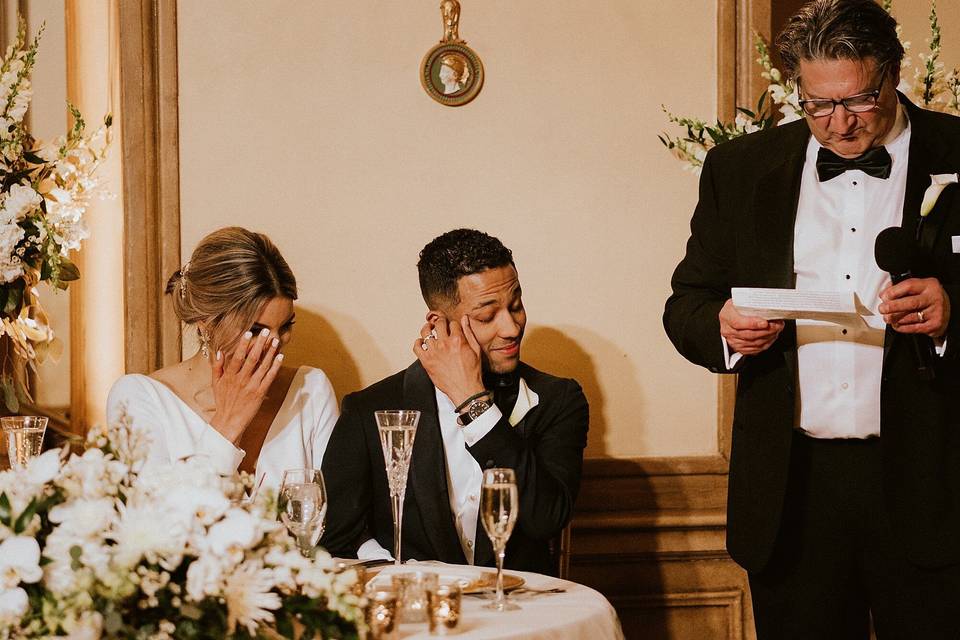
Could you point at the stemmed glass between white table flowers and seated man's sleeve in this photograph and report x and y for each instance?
(303, 506)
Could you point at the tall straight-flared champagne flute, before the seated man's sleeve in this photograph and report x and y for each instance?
(397, 430)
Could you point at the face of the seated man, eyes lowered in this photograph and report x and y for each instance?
(492, 301)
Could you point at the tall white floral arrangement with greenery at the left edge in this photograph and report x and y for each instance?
(44, 190)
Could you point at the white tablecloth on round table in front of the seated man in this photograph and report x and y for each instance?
(578, 613)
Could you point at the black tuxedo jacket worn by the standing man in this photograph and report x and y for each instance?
(742, 236)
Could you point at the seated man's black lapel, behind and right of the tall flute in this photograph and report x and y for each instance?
(428, 469)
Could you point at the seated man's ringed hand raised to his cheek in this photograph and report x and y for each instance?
(450, 354)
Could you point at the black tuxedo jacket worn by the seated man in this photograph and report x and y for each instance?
(545, 450)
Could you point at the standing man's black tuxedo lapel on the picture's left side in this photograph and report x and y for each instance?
(774, 209)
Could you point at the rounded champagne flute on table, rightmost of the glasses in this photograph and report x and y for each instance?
(499, 504)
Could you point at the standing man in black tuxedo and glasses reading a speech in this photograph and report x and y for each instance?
(844, 488)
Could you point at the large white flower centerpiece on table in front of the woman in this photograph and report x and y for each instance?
(95, 547)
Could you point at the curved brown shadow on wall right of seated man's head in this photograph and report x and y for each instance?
(570, 353)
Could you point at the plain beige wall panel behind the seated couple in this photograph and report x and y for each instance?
(307, 121)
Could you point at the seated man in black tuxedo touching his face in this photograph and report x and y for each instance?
(481, 407)
